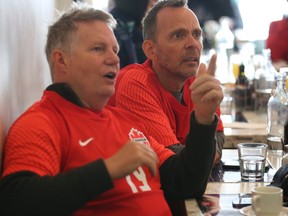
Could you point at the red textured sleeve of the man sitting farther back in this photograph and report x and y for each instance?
(133, 95)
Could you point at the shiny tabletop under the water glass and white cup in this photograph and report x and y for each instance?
(222, 193)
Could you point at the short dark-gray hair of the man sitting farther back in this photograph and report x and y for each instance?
(149, 21)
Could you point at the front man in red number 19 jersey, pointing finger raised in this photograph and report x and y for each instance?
(69, 154)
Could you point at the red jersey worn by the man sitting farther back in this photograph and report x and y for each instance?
(167, 120)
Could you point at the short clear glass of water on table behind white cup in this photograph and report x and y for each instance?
(252, 159)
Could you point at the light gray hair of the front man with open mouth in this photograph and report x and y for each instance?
(62, 32)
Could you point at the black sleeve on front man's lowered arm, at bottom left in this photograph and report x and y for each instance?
(26, 193)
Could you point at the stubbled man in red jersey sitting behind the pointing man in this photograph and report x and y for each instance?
(159, 89)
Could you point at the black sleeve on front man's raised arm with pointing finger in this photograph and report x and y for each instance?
(185, 175)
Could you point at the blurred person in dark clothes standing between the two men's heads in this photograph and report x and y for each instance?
(128, 32)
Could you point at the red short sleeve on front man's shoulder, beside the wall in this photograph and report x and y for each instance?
(32, 137)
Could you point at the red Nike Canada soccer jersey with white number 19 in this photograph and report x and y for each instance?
(57, 135)
